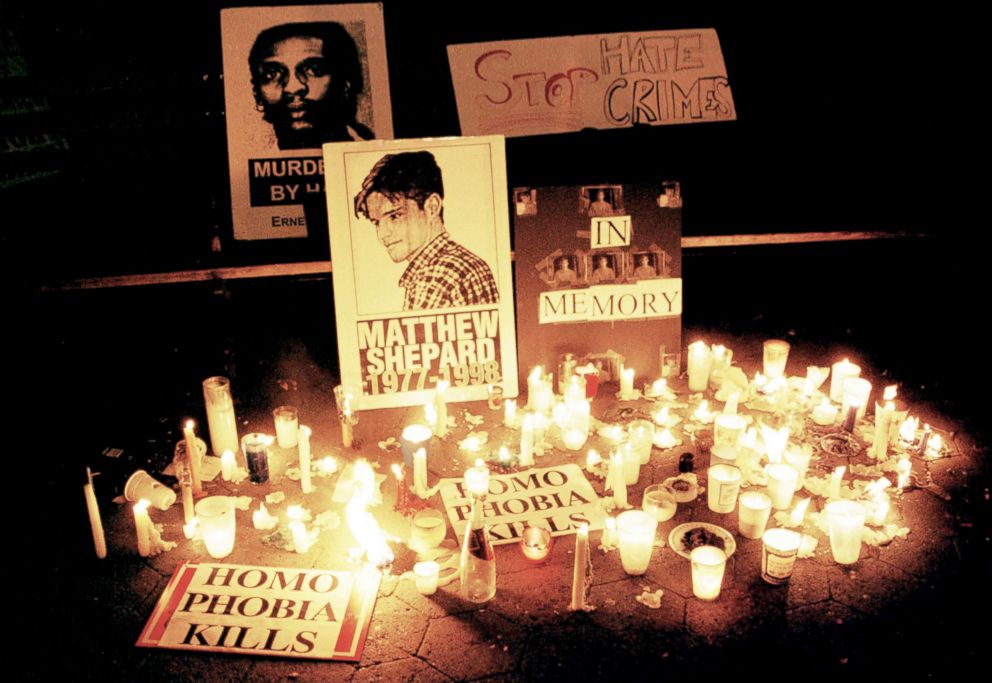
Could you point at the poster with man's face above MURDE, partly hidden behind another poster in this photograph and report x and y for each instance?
(295, 78)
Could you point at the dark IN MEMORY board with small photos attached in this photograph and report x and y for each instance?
(599, 276)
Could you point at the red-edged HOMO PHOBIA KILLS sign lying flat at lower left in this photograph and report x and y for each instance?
(277, 611)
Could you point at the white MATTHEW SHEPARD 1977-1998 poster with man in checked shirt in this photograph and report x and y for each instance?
(423, 289)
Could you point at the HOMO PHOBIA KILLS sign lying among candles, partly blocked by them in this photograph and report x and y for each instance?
(559, 499)
